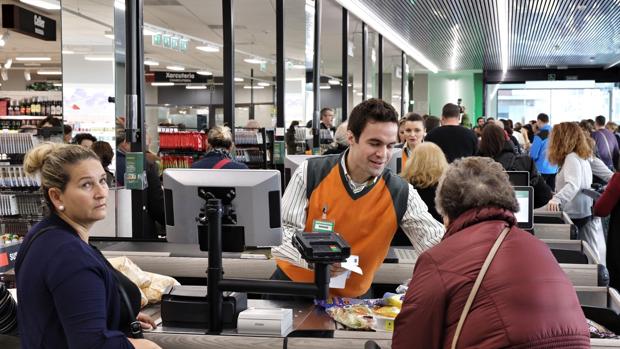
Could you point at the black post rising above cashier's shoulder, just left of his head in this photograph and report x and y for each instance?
(316, 75)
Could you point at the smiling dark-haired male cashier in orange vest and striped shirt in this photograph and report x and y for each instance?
(365, 201)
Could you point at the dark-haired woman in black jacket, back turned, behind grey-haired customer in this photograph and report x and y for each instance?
(495, 145)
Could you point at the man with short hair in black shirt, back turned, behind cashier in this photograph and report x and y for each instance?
(455, 140)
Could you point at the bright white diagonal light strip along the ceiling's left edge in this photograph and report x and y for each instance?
(369, 17)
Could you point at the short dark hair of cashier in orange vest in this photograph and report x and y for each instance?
(373, 110)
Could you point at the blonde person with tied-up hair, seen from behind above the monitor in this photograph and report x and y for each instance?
(218, 155)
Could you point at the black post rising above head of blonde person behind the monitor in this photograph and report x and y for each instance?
(229, 64)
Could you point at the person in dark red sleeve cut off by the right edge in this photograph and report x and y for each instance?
(609, 203)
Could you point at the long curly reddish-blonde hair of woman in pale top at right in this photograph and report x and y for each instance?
(566, 138)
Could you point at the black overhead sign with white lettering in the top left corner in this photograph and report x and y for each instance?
(28, 23)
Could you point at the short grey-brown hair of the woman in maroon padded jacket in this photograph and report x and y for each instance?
(474, 182)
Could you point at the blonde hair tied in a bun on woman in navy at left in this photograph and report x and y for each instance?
(50, 160)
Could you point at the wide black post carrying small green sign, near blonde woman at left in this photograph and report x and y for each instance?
(134, 108)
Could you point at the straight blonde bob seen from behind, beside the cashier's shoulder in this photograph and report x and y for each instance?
(426, 165)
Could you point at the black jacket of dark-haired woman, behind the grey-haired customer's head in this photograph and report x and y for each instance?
(513, 162)
